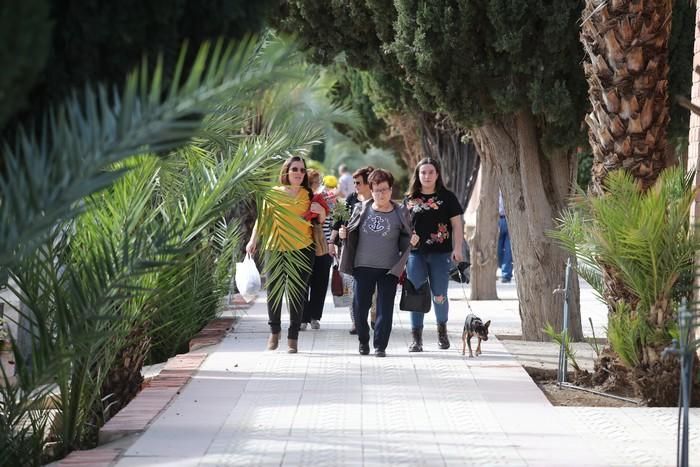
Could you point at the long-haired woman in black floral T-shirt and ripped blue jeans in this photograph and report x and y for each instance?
(436, 217)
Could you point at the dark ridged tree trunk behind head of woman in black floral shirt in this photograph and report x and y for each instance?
(445, 142)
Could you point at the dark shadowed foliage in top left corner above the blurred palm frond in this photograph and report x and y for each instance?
(60, 45)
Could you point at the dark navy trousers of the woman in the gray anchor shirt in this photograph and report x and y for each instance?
(366, 279)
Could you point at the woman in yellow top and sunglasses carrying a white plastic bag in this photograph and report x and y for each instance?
(291, 243)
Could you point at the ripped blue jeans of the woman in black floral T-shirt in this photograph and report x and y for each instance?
(435, 268)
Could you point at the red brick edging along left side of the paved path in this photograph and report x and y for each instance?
(156, 396)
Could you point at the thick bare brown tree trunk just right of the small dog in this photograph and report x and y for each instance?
(535, 187)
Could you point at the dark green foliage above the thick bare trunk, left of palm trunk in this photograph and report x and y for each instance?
(481, 60)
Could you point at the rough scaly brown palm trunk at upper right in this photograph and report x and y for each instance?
(626, 43)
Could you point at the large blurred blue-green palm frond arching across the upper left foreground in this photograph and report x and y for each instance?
(86, 135)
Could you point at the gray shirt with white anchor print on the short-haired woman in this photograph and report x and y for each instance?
(378, 243)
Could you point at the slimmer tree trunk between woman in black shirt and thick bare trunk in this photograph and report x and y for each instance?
(483, 237)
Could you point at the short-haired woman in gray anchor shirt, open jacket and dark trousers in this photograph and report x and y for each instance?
(375, 252)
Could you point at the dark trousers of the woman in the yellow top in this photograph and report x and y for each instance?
(296, 293)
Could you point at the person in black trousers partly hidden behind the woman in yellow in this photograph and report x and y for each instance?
(318, 284)
